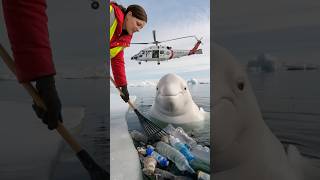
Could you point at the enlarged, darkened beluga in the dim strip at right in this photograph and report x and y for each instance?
(243, 145)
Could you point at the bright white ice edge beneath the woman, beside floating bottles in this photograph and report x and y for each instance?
(124, 160)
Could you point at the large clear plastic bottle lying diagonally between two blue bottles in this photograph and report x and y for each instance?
(174, 155)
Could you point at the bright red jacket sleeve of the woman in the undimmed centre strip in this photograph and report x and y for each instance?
(118, 69)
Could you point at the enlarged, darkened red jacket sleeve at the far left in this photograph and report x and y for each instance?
(26, 22)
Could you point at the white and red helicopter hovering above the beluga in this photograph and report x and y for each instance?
(161, 53)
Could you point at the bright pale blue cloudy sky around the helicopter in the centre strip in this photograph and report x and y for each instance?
(172, 19)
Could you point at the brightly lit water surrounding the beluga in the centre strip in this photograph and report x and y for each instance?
(145, 97)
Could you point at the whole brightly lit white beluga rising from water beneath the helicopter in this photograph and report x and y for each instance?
(174, 104)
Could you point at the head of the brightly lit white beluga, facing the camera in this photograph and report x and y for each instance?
(172, 95)
